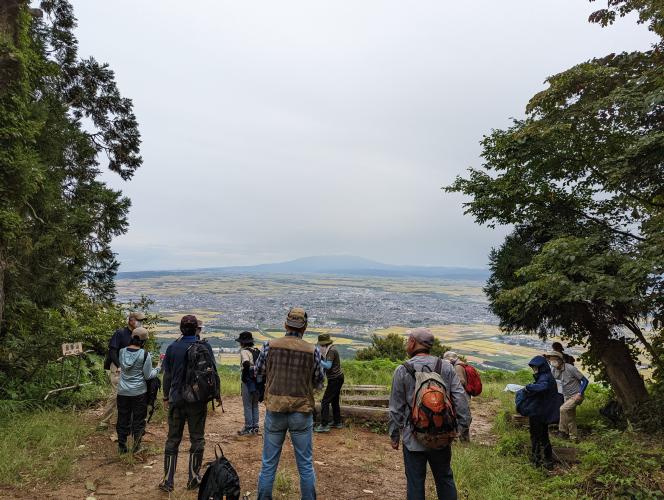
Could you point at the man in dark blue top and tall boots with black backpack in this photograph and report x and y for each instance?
(177, 400)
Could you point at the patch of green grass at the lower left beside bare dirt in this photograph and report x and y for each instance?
(39, 446)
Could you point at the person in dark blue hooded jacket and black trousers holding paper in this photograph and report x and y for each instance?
(541, 407)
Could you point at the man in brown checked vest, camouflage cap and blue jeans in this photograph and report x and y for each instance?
(293, 369)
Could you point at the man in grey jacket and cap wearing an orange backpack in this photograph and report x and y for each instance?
(427, 405)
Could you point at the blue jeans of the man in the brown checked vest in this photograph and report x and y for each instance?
(300, 426)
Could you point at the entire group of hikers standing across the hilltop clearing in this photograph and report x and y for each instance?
(286, 372)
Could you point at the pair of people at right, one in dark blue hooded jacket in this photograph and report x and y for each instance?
(558, 389)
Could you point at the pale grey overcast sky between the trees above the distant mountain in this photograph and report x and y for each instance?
(280, 129)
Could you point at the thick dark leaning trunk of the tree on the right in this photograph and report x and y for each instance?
(621, 372)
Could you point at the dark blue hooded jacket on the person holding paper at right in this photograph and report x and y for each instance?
(540, 399)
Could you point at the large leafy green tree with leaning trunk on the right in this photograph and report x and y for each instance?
(581, 180)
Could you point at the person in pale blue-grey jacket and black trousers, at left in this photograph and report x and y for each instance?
(136, 368)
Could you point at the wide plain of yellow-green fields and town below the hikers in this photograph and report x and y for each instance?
(350, 308)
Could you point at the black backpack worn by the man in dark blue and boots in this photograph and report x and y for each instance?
(201, 379)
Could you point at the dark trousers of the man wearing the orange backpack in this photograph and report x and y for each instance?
(415, 463)
